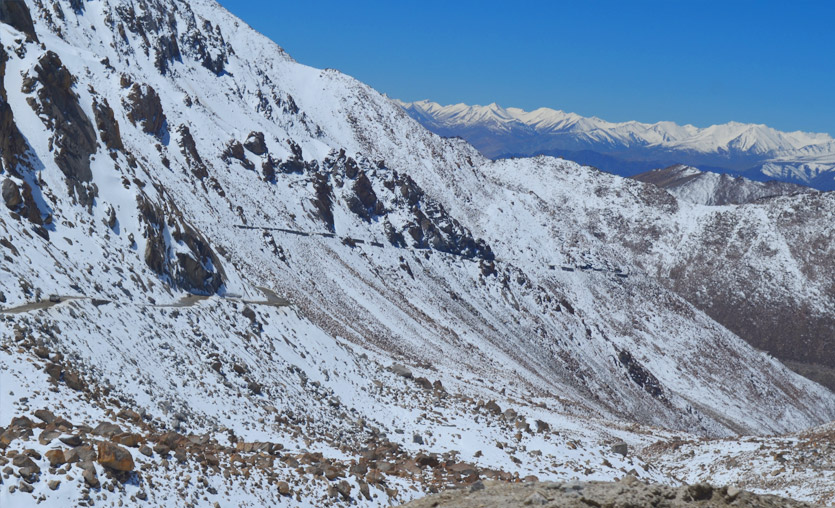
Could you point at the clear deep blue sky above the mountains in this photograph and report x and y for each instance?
(698, 62)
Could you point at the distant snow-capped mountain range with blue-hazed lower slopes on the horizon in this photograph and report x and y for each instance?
(755, 151)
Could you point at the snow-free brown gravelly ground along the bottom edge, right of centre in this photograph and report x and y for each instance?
(627, 493)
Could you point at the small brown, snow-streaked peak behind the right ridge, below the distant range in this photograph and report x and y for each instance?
(707, 188)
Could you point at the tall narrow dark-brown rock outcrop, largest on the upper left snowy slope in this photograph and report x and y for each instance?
(75, 137)
